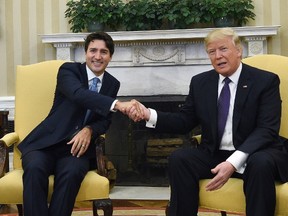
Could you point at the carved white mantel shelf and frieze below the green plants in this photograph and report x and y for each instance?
(159, 47)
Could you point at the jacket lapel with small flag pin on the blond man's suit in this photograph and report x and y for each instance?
(245, 85)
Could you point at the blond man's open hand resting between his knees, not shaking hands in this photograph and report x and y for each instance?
(223, 172)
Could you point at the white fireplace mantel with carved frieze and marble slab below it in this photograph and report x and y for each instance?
(147, 62)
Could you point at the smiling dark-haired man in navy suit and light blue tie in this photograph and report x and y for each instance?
(63, 144)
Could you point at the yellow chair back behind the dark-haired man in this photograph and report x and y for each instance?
(32, 82)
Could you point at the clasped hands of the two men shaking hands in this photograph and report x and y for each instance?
(133, 109)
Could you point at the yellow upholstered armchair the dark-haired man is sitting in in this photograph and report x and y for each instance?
(35, 86)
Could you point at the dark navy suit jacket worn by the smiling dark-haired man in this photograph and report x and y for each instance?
(71, 101)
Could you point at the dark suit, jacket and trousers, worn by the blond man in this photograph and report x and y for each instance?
(256, 122)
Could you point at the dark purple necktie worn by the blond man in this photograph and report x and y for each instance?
(223, 107)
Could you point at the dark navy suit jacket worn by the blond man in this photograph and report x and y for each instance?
(256, 117)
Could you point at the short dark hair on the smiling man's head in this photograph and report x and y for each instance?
(100, 36)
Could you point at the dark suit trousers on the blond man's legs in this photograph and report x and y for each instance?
(188, 165)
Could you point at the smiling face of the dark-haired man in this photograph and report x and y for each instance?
(97, 56)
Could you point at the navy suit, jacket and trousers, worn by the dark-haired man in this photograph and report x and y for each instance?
(46, 146)
